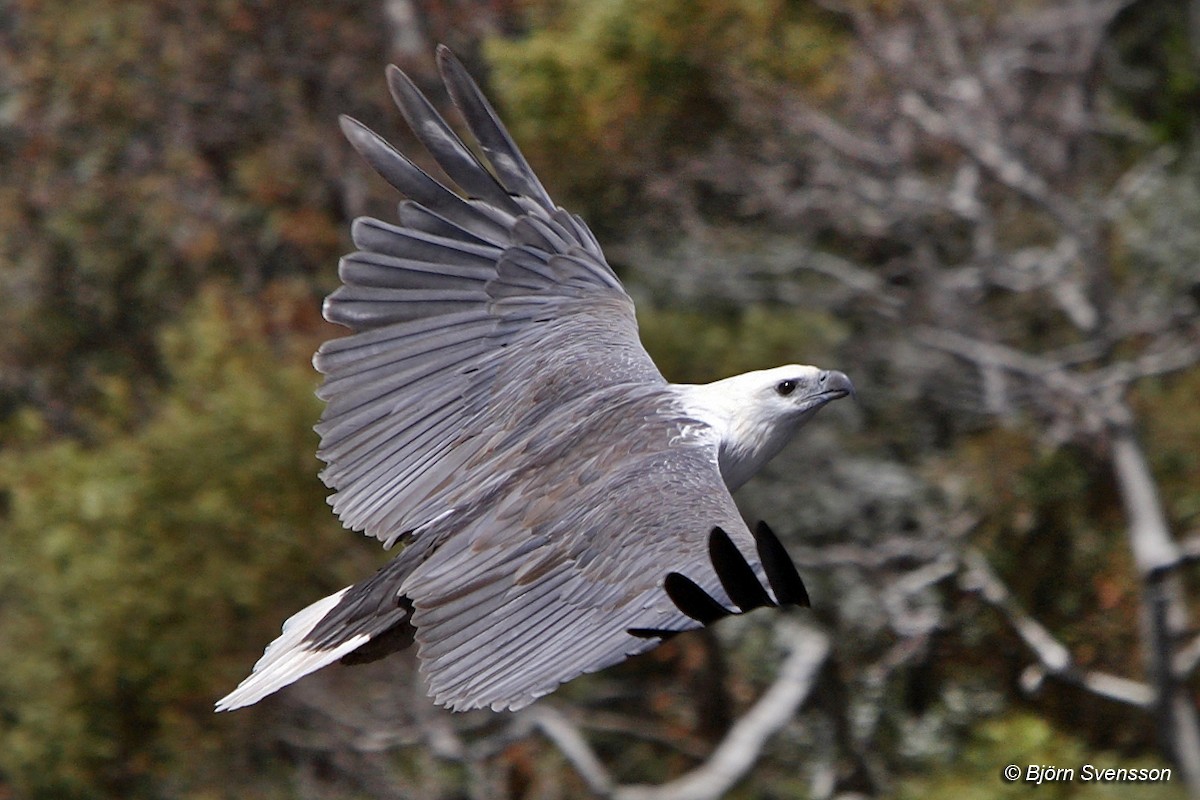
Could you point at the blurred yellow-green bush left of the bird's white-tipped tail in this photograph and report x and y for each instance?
(142, 575)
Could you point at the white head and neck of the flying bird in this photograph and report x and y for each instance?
(757, 413)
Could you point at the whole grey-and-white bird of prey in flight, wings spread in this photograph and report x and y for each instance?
(561, 506)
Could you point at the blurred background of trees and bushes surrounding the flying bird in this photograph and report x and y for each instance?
(987, 214)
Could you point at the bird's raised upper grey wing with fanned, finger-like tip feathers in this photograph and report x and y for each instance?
(442, 303)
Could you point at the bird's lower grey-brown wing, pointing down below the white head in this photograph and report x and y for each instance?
(502, 641)
